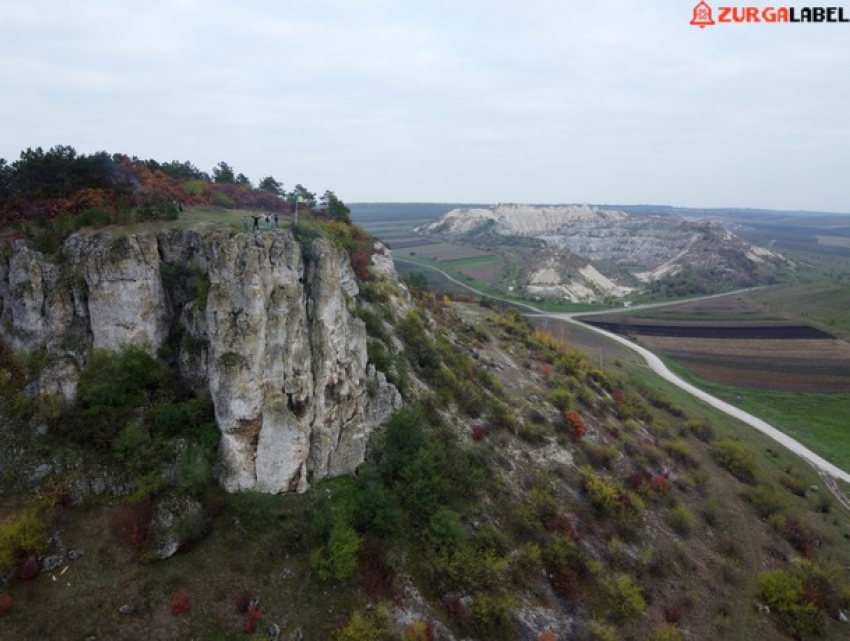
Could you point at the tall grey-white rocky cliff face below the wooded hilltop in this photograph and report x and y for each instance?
(269, 334)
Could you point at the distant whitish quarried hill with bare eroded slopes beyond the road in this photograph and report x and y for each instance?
(584, 253)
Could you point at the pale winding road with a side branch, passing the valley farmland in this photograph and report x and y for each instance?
(827, 470)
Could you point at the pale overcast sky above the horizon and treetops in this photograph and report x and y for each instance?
(538, 101)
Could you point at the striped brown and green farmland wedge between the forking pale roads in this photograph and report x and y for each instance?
(753, 351)
